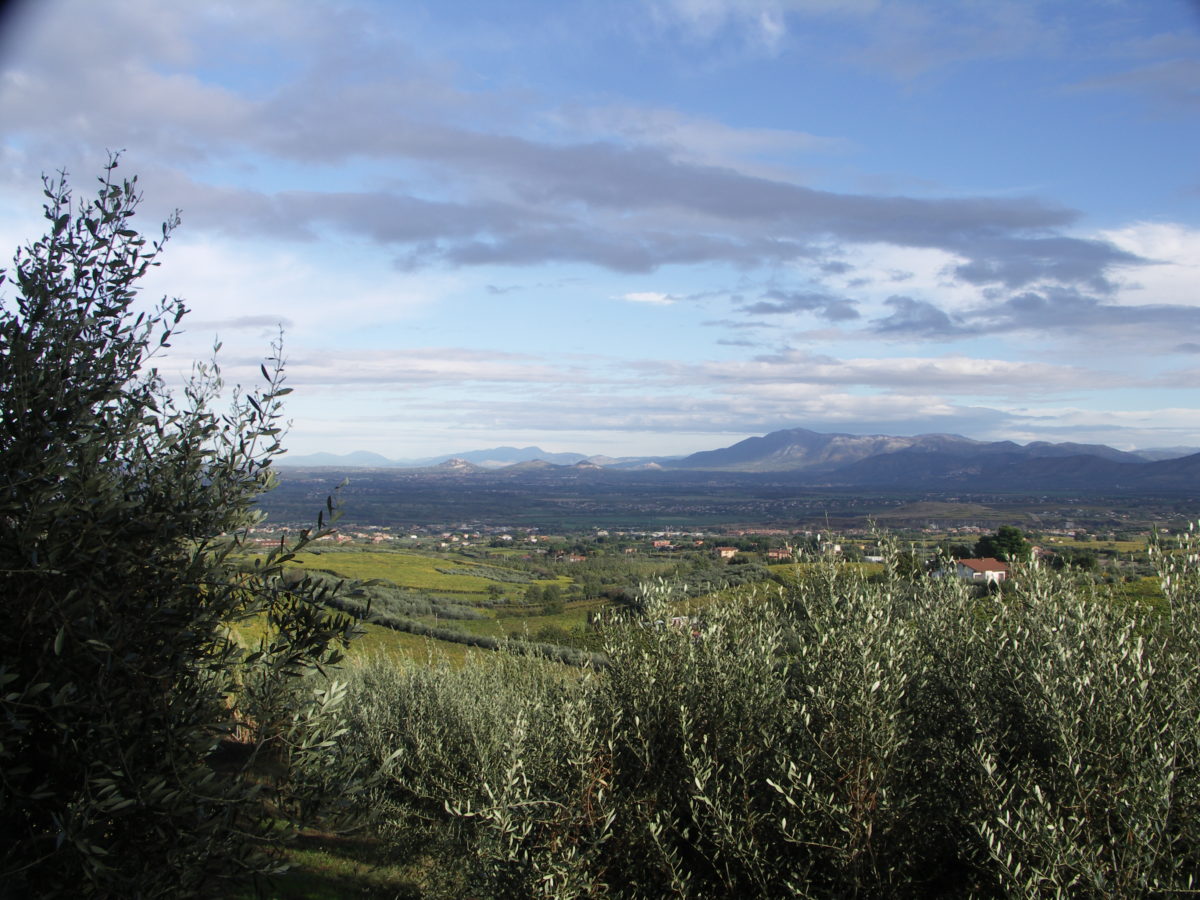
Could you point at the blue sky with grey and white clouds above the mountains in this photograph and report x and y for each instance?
(650, 227)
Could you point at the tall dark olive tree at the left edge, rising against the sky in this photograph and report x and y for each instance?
(123, 509)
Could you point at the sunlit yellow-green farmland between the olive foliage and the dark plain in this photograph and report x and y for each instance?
(453, 593)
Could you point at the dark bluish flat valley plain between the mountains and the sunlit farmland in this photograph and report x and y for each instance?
(580, 501)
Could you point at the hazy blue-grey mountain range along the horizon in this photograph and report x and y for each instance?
(837, 460)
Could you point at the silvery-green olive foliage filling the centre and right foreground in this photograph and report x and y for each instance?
(907, 736)
